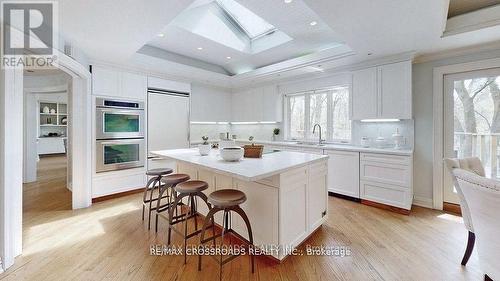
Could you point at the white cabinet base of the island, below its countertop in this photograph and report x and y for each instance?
(282, 209)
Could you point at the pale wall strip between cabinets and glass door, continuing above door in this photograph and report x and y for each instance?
(422, 108)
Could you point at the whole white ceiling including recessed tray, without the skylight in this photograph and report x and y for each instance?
(365, 29)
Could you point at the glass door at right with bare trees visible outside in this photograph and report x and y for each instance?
(472, 122)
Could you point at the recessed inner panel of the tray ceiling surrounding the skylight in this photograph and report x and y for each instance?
(306, 39)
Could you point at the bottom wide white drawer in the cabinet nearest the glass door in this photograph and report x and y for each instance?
(386, 194)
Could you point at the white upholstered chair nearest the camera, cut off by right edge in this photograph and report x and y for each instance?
(483, 200)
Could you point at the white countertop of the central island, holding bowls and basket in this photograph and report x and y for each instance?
(248, 169)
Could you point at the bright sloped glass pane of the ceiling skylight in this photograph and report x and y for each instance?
(253, 25)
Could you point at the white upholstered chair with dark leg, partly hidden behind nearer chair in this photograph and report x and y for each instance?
(473, 165)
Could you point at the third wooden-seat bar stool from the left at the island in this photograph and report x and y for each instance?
(191, 190)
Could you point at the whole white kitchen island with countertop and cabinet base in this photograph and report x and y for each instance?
(286, 193)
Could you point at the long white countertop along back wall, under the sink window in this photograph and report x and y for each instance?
(345, 147)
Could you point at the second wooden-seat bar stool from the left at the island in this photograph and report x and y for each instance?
(167, 191)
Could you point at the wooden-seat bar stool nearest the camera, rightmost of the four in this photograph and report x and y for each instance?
(226, 200)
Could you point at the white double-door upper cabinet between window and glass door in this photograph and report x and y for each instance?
(382, 92)
